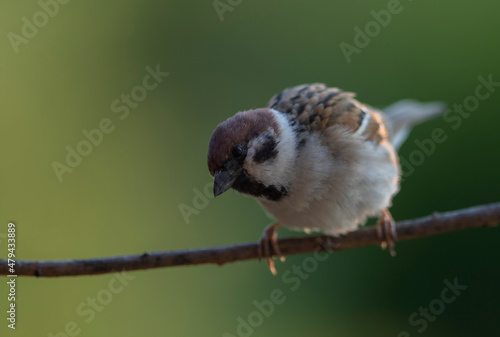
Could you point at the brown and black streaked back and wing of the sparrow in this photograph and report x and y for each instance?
(317, 107)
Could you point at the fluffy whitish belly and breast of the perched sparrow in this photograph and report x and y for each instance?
(337, 186)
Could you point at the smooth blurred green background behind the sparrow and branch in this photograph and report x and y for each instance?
(124, 197)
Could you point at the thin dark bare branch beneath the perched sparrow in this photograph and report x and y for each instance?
(437, 223)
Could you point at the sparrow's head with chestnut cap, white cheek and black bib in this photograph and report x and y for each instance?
(254, 153)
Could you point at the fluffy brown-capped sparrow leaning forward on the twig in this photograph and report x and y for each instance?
(316, 159)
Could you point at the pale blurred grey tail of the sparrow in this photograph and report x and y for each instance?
(401, 116)
